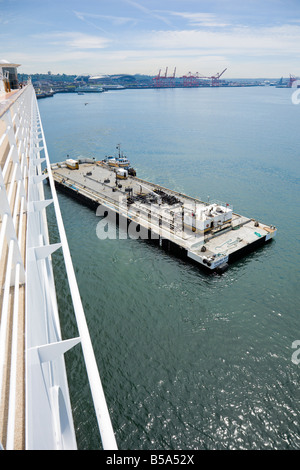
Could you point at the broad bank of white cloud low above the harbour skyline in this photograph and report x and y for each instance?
(197, 46)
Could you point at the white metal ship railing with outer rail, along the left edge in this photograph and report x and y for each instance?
(26, 268)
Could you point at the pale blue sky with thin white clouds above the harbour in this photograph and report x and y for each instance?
(250, 38)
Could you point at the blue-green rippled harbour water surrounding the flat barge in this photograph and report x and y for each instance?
(187, 360)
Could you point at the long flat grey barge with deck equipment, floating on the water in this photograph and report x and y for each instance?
(209, 234)
